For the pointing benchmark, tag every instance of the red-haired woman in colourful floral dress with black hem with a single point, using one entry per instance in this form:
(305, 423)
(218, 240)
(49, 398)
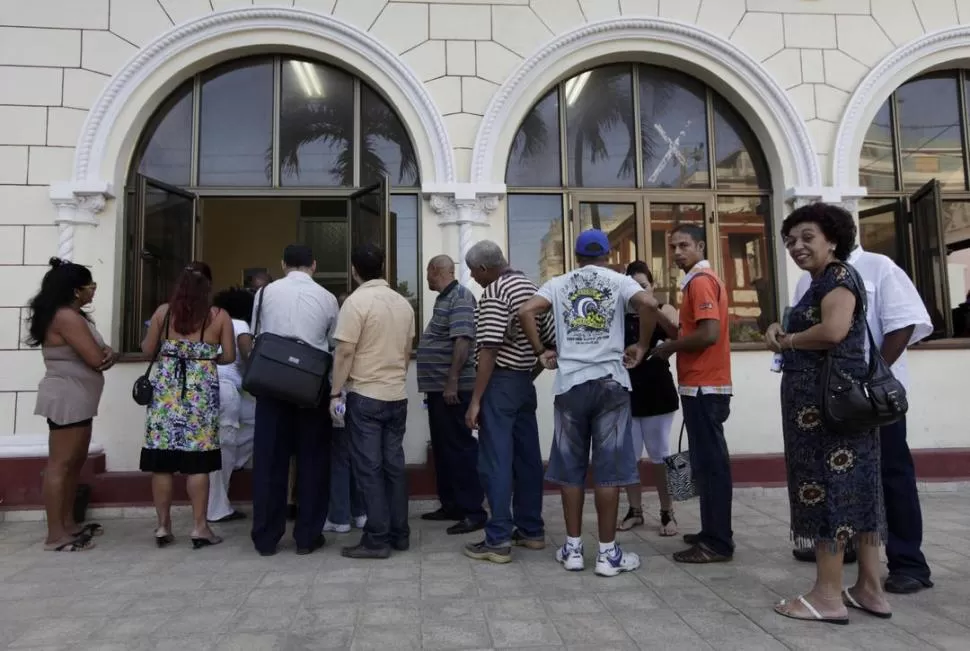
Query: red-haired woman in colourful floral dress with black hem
(182, 427)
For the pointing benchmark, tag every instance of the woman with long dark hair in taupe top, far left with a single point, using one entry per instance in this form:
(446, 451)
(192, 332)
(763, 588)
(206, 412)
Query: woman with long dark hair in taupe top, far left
(75, 358)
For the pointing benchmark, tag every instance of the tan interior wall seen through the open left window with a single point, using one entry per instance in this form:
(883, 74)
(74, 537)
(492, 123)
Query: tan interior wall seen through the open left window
(238, 234)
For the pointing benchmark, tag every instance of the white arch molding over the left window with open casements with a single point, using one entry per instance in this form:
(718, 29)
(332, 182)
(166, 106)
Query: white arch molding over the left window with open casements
(209, 39)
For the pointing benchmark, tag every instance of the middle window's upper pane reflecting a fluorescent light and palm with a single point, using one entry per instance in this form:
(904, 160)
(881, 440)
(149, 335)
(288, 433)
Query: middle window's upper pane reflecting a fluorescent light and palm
(600, 128)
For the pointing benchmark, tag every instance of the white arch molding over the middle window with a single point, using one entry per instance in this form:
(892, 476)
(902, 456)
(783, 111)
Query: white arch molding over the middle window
(721, 64)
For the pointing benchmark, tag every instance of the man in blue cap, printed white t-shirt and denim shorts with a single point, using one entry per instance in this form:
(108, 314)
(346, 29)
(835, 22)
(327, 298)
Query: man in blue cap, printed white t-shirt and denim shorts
(592, 404)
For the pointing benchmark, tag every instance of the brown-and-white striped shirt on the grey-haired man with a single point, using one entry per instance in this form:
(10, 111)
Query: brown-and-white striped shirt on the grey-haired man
(498, 322)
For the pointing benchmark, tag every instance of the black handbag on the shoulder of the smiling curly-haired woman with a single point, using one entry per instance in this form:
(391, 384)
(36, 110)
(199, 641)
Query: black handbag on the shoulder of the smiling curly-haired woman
(851, 406)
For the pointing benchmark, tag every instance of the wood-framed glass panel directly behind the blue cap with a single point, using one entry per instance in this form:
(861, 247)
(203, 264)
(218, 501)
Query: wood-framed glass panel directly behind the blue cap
(619, 219)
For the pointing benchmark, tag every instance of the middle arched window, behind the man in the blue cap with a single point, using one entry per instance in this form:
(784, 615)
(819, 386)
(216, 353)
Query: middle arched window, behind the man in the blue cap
(633, 150)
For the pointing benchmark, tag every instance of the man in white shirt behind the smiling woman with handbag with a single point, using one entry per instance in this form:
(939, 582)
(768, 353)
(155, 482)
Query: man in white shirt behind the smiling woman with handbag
(898, 318)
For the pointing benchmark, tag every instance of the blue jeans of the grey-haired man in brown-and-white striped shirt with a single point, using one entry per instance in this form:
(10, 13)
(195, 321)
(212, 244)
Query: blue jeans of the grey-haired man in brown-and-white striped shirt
(509, 458)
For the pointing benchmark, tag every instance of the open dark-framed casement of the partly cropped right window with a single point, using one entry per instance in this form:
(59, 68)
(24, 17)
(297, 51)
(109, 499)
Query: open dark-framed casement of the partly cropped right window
(926, 213)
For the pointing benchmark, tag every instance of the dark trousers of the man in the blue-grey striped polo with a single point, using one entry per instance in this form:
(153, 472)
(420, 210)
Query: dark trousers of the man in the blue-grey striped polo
(455, 457)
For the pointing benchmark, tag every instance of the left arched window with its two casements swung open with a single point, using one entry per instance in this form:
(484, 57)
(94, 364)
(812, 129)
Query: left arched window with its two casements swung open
(257, 153)
